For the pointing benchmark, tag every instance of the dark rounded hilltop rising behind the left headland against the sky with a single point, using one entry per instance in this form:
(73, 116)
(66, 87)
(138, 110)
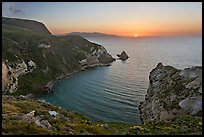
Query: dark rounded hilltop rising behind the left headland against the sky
(28, 24)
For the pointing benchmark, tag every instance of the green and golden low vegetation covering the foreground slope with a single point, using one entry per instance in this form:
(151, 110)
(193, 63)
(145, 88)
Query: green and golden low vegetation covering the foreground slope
(13, 107)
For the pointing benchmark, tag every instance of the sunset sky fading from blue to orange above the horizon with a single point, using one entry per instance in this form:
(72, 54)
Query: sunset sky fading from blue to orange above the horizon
(119, 18)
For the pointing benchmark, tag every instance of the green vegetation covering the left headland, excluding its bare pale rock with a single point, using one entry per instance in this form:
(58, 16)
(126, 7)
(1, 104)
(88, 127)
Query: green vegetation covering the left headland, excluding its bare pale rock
(61, 58)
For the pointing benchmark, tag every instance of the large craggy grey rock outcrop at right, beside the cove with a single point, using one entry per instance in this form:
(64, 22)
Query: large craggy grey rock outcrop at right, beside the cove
(172, 93)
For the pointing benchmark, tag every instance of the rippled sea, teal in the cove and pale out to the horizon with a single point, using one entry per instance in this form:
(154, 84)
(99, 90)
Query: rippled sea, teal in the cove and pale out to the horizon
(113, 93)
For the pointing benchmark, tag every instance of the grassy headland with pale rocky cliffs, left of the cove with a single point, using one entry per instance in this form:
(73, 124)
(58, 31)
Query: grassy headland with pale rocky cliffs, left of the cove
(31, 59)
